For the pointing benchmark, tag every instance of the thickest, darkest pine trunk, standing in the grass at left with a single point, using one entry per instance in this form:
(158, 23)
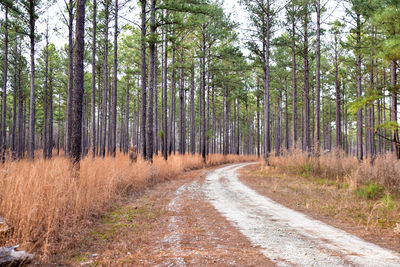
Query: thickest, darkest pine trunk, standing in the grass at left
(78, 88)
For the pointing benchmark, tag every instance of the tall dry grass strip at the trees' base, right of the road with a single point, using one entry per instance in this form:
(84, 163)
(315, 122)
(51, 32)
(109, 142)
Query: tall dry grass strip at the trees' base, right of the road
(385, 169)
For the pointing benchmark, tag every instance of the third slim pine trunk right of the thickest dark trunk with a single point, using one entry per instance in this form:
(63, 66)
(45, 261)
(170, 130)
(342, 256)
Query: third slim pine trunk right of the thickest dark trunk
(115, 84)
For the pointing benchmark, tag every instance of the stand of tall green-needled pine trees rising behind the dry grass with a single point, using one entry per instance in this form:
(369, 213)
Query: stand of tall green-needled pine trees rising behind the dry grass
(177, 80)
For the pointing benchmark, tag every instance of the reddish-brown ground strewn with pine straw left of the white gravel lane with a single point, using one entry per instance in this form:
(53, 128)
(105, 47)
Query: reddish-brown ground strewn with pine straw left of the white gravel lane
(152, 231)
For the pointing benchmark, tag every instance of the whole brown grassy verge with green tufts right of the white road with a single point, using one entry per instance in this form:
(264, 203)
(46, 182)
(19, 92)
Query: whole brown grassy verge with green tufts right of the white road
(362, 198)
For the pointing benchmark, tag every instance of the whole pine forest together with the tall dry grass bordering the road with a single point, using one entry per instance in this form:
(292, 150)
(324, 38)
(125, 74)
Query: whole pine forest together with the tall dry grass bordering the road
(184, 83)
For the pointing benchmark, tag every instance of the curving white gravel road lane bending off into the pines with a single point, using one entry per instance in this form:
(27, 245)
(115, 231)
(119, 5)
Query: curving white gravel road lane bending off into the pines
(285, 236)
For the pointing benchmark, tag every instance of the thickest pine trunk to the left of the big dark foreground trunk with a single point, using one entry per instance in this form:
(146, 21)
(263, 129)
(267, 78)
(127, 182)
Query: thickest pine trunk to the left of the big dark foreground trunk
(31, 138)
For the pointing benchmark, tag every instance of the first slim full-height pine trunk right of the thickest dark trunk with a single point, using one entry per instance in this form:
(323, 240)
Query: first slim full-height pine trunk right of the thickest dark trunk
(94, 31)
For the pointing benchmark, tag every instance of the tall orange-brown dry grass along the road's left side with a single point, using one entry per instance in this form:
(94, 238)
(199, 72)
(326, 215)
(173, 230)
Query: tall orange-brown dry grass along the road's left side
(46, 207)
